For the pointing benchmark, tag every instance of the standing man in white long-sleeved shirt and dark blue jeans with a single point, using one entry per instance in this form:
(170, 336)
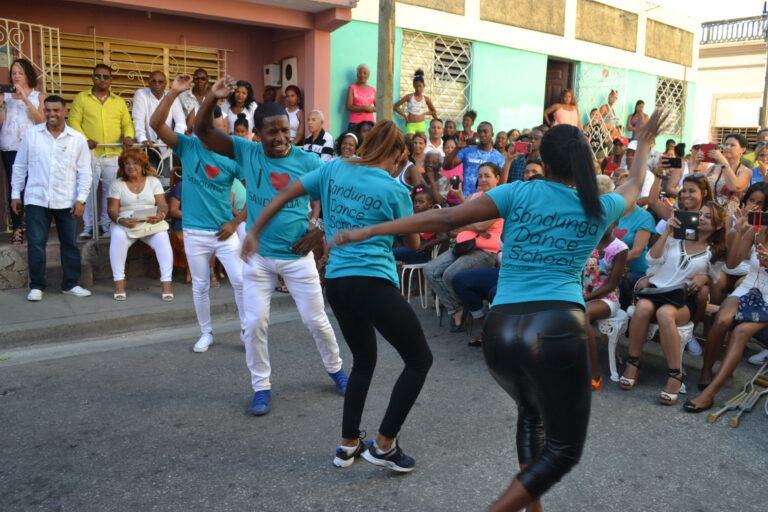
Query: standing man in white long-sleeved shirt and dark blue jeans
(57, 182)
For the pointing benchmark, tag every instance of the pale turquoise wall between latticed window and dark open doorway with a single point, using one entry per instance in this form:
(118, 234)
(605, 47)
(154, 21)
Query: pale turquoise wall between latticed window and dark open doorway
(507, 86)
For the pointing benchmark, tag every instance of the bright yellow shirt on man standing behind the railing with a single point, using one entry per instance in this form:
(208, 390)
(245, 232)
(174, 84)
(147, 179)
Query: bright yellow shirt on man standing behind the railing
(104, 123)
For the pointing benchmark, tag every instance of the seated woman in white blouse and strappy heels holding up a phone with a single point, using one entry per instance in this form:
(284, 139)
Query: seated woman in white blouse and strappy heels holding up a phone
(674, 263)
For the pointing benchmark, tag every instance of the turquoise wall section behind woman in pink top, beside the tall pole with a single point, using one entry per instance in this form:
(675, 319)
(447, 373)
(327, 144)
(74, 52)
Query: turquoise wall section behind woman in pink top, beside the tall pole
(351, 45)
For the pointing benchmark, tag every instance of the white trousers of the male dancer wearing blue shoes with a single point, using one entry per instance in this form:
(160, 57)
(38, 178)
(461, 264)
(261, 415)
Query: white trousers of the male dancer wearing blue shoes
(303, 282)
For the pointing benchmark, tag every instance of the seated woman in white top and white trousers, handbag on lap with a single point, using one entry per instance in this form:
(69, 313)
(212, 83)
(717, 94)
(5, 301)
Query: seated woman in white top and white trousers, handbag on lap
(137, 188)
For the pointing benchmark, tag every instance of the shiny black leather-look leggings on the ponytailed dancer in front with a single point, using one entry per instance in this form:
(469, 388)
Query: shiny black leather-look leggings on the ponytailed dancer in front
(537, 352)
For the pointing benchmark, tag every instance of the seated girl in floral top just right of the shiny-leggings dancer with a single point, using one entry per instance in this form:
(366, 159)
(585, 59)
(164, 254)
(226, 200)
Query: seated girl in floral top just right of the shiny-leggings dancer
(600, 282)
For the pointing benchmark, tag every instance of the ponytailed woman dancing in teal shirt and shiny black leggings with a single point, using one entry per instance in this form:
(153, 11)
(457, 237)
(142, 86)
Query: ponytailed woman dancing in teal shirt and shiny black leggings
(534, 338)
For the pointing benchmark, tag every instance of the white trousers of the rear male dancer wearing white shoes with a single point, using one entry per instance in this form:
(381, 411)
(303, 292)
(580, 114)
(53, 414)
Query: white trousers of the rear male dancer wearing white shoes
(199, 246)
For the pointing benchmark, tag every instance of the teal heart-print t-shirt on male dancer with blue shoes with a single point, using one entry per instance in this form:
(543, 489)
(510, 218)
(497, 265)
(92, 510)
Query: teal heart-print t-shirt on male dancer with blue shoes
(264, 178)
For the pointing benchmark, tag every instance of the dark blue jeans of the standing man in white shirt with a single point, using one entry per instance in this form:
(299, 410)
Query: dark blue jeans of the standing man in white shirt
(38, 227)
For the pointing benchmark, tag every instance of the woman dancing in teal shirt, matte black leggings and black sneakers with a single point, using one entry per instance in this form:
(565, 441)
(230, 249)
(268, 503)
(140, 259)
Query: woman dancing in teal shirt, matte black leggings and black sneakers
(362, 285)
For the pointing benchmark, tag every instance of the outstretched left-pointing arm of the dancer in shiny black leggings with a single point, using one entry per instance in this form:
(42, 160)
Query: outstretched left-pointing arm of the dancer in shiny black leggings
(445, 219)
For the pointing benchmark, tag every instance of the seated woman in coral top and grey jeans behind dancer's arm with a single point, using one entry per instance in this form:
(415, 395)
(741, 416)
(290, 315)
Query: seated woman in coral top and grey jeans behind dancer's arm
(486, 236)
